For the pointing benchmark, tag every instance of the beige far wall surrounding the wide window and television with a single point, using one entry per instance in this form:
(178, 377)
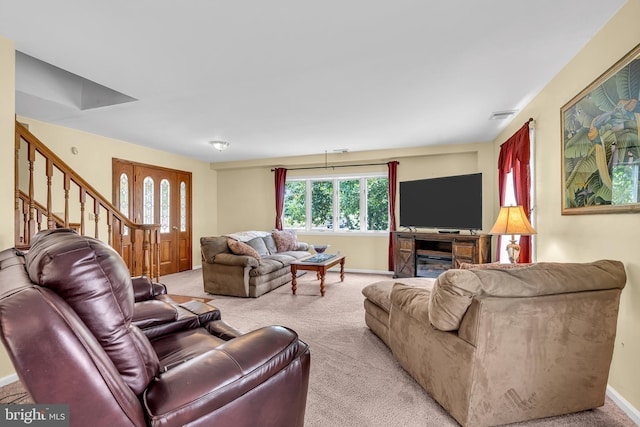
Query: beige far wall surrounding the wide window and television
(246, 191)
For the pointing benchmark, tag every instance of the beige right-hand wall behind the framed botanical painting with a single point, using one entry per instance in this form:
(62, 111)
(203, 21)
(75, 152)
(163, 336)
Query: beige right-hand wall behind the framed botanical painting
(588, 237)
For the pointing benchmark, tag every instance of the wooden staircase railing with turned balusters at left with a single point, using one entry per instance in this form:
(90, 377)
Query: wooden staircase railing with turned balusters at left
(42, 197)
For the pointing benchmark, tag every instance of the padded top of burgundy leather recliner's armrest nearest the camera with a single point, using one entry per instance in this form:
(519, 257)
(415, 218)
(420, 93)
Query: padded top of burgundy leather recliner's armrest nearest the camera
(212, 380)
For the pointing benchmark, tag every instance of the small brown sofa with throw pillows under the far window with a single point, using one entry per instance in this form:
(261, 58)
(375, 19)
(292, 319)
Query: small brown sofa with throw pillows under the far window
(235, 274)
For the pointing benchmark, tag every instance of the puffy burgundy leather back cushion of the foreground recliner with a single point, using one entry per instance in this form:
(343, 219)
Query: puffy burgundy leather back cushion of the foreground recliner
(92, 278)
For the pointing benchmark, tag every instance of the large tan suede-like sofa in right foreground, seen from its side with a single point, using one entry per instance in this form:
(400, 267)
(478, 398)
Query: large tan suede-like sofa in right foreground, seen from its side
(496, 346)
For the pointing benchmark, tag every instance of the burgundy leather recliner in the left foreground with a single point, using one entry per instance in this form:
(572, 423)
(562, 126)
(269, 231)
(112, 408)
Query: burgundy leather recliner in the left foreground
(65, 320)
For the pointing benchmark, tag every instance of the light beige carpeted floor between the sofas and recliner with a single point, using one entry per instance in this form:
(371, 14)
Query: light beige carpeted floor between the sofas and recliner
(354, 379)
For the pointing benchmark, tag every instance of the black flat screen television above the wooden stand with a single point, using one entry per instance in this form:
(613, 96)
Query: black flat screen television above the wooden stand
(449, 203)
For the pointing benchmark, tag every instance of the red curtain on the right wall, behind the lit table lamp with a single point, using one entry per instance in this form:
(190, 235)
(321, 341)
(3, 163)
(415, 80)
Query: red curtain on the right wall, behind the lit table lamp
(514, 156)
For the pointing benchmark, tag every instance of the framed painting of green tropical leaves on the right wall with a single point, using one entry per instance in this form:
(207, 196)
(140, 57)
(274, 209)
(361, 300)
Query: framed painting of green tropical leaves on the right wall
(601, 143)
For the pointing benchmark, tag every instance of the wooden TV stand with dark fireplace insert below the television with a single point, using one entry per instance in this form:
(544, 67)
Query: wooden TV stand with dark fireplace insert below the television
(429, 254)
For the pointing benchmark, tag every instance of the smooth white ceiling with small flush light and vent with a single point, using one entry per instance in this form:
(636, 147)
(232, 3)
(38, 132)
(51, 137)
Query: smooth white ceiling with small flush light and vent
(293, 77)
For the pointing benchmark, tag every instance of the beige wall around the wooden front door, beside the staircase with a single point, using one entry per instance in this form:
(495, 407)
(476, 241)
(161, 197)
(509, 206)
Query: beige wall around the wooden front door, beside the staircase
(93, 162)
